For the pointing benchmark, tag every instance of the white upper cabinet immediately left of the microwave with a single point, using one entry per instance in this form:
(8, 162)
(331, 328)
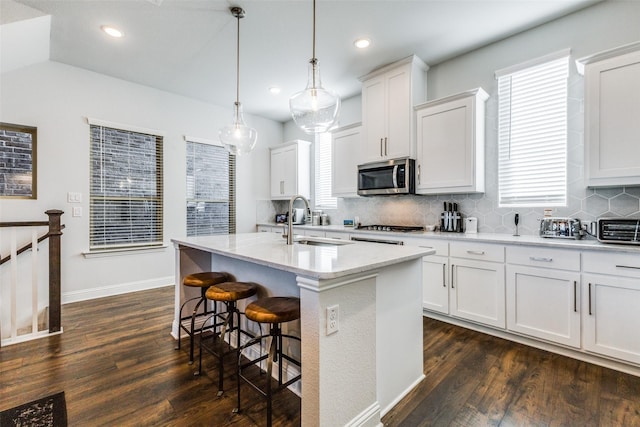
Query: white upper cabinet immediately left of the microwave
(346, 146)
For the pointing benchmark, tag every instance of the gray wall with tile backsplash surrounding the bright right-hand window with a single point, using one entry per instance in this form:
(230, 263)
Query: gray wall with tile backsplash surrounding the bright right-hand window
(603, 26)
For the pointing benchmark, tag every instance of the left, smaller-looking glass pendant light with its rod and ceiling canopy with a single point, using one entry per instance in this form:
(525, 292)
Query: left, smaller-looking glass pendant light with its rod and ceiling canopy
(237, 137)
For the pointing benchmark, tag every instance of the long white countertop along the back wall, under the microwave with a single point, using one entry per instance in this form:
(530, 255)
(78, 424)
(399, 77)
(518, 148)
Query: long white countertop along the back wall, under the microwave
(588, 243)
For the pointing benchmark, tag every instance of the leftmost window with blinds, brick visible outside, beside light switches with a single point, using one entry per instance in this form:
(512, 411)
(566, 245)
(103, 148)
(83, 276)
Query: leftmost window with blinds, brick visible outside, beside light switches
(126, 187)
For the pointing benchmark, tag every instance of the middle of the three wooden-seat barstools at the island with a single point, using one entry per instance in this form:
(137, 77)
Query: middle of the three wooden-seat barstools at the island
(228, 293)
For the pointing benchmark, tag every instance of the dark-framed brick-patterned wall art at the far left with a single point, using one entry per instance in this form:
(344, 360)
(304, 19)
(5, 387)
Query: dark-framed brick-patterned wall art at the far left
(18, 161)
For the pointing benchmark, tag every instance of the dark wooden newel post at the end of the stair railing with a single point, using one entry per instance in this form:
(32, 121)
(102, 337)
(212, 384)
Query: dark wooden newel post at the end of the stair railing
(55, 303)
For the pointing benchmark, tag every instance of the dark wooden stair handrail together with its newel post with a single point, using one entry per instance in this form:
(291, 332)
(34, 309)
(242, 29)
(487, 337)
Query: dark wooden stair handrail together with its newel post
(54, 234)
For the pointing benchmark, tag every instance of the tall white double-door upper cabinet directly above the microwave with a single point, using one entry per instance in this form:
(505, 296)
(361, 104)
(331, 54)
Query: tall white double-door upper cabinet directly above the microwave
(388, 96)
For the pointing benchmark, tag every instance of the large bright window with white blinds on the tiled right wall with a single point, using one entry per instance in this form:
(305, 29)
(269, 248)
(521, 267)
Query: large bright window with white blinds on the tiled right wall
(532, 133)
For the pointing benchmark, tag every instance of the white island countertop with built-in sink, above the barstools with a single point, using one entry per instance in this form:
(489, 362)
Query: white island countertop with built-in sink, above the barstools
(319, 262)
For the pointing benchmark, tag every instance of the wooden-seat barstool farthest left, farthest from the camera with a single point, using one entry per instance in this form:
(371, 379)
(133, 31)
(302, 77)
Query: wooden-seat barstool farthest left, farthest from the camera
(203, 281)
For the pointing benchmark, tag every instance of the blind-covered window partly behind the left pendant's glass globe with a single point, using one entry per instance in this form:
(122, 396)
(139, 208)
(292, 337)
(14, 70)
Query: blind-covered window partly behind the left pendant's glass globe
(210, 189)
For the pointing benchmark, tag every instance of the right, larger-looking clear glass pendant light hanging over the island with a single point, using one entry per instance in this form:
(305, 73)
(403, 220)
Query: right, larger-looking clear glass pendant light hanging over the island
(314, 109)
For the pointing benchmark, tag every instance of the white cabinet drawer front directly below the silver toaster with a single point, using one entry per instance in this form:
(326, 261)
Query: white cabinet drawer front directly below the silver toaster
(544, 257)
